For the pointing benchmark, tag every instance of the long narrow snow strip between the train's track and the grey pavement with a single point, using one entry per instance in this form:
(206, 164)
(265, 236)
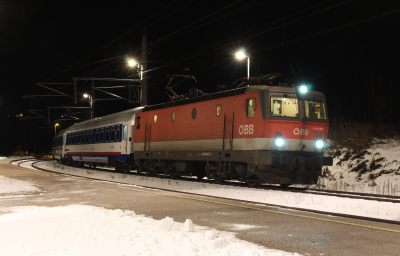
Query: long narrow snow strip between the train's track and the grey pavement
(358, 207)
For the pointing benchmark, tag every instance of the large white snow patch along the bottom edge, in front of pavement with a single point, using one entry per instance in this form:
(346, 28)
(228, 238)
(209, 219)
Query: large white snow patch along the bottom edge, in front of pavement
(87, 230)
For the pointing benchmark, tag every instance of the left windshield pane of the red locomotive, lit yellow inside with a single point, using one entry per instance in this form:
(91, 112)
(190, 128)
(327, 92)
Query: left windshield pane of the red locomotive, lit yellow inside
(284, 107)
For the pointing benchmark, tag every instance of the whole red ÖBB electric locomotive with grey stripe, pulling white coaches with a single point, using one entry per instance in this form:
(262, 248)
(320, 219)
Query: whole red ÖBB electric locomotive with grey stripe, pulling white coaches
(257, 133)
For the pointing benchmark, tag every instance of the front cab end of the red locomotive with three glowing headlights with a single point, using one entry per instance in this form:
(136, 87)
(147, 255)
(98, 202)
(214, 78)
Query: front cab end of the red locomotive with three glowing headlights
(294, 128)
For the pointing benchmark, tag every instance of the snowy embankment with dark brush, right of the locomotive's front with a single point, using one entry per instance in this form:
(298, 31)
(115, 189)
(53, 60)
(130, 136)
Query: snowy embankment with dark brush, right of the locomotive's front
(375, 170)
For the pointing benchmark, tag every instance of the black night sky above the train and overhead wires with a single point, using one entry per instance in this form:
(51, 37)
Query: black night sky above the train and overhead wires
(349, 50)
